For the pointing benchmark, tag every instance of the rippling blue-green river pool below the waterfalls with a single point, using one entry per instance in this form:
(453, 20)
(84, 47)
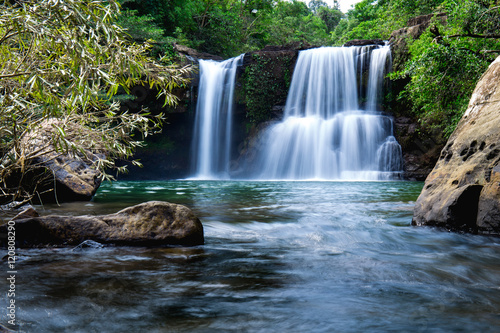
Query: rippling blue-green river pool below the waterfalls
(279, 257)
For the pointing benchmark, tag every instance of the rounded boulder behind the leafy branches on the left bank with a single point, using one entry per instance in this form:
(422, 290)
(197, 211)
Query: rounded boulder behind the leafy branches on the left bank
(55, 176)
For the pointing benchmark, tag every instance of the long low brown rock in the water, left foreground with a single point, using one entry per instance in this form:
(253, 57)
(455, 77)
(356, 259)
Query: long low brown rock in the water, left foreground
(152, 223)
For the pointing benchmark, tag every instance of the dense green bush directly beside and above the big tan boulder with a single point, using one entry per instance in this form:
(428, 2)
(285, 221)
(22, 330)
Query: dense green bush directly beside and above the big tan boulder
(448, 60)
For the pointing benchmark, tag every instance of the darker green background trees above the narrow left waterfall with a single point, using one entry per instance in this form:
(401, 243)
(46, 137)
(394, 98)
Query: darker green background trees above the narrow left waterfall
(230, 27)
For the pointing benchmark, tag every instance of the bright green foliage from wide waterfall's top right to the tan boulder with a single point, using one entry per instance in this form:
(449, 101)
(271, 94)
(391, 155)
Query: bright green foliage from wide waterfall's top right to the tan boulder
(445, 62)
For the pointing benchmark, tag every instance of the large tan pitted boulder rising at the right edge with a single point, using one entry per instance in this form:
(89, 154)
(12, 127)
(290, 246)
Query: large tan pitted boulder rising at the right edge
(462, 192)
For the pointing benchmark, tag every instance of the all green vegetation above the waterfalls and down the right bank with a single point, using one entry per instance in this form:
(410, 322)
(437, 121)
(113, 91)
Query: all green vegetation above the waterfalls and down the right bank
(442, 69)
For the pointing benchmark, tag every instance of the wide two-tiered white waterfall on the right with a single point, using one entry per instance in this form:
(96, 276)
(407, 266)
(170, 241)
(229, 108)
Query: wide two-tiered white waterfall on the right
(324, 133)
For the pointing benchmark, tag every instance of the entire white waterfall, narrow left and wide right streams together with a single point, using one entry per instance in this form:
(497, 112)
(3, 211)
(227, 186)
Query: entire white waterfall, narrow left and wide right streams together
(326, 132)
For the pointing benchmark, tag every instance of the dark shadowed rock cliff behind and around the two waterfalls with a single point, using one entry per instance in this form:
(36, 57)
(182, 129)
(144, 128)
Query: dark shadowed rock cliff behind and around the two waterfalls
(261, 92)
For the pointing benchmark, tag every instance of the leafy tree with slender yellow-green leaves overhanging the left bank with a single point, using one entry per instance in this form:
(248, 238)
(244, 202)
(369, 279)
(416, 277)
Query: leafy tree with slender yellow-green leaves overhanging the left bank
(67, 60)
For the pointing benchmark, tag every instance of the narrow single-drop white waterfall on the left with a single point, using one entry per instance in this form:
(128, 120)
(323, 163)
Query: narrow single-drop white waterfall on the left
(211, 148)
